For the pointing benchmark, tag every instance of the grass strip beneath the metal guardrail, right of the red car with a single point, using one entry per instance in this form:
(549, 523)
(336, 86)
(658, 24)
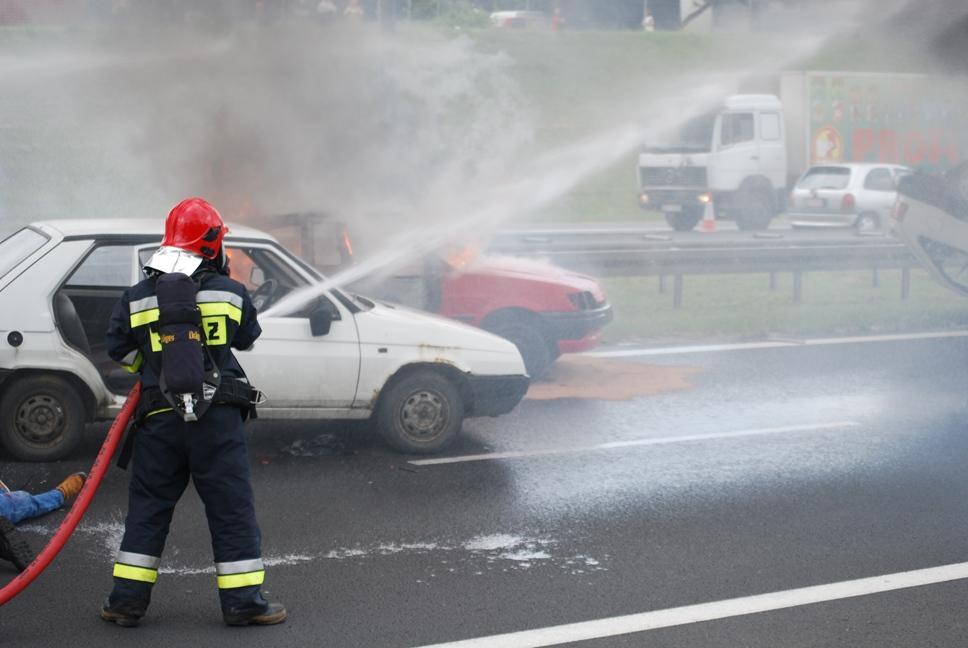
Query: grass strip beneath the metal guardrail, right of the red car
(738, 307)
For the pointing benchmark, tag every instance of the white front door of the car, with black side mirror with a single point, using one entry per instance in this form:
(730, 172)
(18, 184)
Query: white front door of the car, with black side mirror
(301, 374)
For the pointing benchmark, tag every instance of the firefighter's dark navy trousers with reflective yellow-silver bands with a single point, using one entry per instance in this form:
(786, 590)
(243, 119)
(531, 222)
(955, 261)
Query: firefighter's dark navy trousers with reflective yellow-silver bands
(212, 452)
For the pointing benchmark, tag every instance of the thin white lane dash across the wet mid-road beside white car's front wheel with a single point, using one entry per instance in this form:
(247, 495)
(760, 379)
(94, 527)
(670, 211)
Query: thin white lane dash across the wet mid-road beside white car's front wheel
(489, 456)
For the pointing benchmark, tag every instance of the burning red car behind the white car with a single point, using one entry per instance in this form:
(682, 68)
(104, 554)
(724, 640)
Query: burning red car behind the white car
(545, 310)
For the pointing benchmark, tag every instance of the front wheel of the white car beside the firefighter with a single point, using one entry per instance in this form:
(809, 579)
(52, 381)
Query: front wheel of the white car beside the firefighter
(422, 412)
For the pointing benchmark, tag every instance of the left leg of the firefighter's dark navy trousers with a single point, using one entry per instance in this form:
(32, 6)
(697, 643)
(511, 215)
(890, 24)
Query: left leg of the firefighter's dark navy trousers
(159, 475)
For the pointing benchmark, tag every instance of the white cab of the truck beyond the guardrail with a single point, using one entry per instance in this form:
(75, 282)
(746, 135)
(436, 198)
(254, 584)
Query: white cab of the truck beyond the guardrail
(732, 160)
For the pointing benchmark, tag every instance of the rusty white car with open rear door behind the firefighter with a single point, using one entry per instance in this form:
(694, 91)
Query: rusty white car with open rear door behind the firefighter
(341, 357)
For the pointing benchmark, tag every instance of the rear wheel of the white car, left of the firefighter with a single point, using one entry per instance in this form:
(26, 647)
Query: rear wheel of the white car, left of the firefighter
(41, 418)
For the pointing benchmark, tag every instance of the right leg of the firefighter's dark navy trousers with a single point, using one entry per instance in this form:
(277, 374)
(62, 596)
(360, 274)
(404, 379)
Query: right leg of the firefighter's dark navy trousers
(220, 470)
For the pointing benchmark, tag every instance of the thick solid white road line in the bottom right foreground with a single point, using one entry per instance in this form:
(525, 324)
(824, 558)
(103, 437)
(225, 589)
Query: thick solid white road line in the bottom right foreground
(613, 626)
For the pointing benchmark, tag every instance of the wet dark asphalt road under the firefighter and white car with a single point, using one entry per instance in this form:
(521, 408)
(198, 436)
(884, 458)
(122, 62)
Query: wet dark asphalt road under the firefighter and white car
(777, 469)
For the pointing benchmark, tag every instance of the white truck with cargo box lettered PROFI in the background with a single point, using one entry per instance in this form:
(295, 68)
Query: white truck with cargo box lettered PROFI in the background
(742, 158)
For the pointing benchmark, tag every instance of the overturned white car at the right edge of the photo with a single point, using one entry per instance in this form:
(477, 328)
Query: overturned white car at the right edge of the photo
(931, 217)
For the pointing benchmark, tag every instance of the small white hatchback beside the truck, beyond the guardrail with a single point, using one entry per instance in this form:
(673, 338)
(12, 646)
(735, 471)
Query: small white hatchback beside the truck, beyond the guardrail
(857, 195)
